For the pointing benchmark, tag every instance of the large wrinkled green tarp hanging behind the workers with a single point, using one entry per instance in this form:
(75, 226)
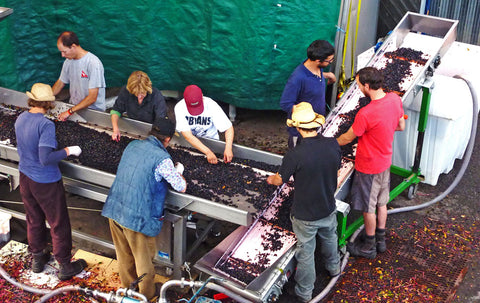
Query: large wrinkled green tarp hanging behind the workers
(238, 52)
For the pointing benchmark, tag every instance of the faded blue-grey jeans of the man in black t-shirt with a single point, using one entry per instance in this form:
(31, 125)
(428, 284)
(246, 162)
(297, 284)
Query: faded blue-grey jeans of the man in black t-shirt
(305, 231)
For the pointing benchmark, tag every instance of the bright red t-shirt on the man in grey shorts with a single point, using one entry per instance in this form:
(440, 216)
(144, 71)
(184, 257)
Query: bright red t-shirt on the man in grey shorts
(375, 126)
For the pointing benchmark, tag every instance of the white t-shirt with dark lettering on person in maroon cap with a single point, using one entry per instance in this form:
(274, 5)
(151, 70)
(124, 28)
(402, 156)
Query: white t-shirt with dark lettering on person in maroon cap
(207, 125)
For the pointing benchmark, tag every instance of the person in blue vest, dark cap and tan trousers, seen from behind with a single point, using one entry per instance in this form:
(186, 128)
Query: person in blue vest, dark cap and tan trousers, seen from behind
(135, 203)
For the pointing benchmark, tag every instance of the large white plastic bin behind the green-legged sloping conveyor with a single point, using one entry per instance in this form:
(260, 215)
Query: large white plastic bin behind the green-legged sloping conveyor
(450, 116)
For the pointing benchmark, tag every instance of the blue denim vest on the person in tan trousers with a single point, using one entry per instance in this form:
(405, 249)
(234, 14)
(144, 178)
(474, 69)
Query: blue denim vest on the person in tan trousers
(136, 199)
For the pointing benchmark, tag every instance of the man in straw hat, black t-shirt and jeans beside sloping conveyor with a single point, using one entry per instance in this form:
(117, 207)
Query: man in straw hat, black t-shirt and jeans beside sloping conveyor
(313, 163)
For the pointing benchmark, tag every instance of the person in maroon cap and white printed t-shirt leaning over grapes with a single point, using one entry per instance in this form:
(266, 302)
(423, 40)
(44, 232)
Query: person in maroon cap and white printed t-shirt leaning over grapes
(200, 116)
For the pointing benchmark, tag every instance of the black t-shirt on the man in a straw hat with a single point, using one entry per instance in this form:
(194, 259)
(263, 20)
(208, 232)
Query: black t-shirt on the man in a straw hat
(314, 164)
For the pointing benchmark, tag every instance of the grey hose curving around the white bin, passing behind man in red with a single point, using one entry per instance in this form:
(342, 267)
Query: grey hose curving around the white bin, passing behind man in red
(463, 168)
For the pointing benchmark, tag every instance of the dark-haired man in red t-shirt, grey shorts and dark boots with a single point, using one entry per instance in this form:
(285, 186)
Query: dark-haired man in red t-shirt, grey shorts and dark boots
(374, 125)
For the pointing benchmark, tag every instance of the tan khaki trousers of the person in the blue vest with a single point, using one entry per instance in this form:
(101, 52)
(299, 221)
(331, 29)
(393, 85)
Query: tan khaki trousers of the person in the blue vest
(135, 252)
